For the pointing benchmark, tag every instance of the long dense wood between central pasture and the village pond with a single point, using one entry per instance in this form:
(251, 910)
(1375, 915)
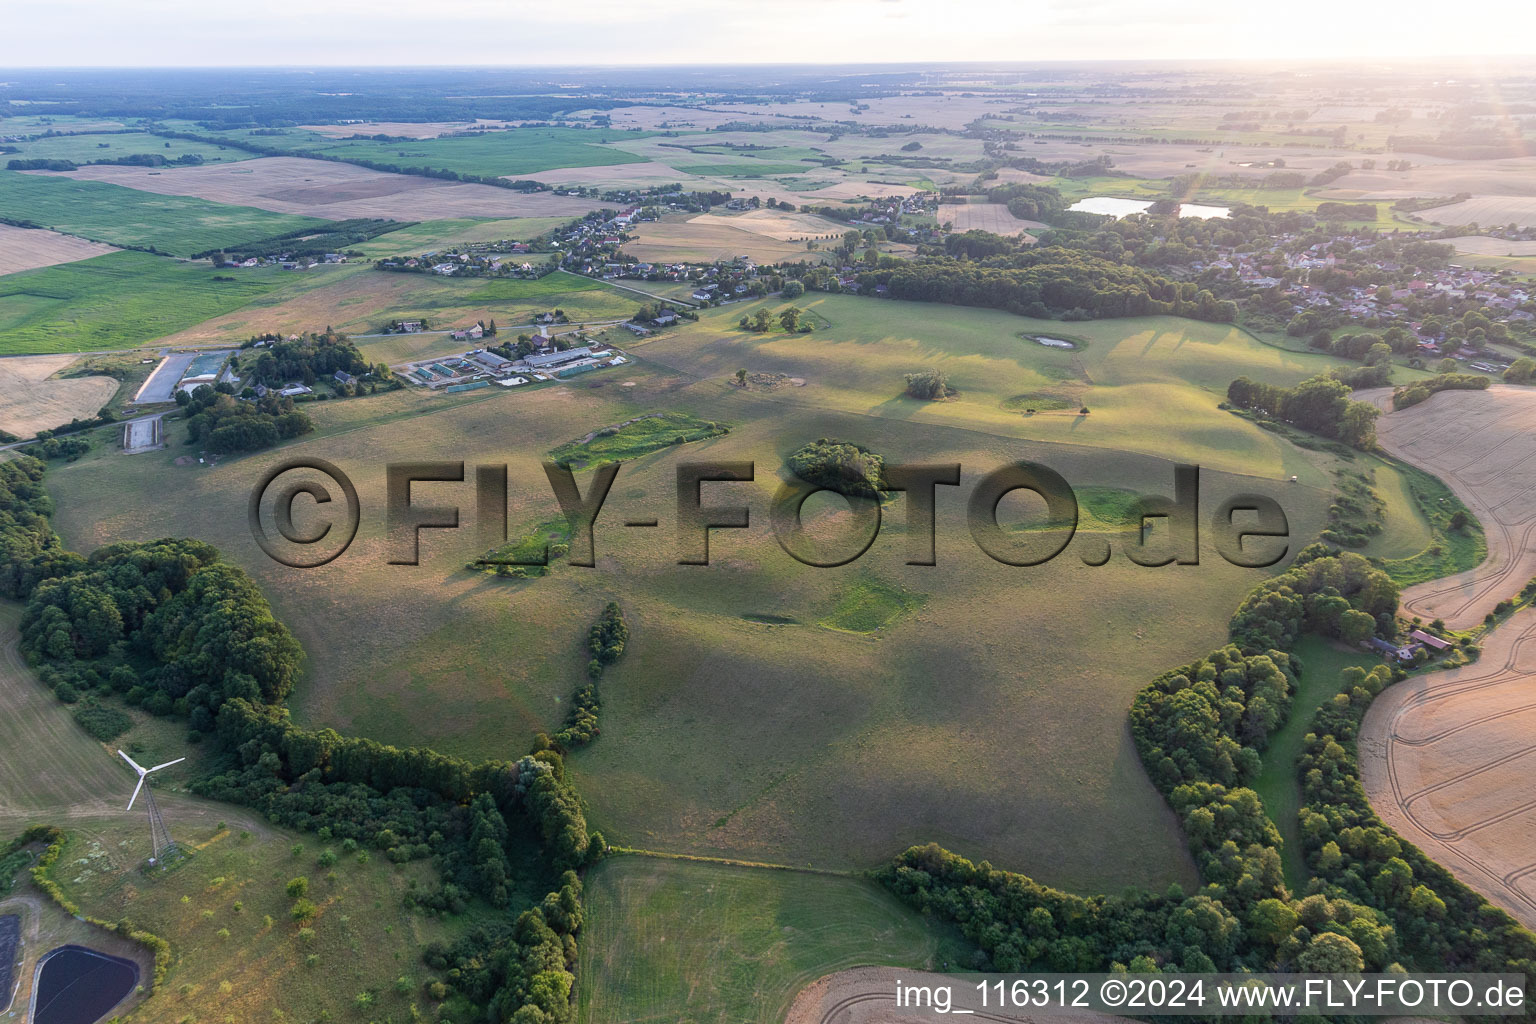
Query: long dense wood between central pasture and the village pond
(1045, 282)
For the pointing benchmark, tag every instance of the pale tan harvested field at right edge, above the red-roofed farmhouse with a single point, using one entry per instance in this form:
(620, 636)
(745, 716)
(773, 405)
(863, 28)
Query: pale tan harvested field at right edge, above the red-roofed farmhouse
(1483, 446)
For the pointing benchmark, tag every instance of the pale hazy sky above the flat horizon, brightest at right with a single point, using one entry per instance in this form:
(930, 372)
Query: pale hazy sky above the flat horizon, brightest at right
(331, 33)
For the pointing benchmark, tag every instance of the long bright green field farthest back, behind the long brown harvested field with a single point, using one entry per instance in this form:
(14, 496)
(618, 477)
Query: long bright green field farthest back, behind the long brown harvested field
(500, 154)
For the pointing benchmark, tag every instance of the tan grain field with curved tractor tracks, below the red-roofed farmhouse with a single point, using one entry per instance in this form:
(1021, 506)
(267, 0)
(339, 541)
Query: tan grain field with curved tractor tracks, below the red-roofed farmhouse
(1449, 762)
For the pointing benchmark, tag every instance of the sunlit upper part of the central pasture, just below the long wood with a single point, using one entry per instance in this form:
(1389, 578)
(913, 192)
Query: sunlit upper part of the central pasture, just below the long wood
(1153, 385)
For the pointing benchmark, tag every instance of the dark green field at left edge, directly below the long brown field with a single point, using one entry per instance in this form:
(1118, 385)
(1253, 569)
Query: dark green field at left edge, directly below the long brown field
(128, 217)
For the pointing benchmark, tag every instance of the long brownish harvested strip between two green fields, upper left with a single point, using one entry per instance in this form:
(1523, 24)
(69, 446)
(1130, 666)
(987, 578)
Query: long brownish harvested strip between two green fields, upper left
(336, 191)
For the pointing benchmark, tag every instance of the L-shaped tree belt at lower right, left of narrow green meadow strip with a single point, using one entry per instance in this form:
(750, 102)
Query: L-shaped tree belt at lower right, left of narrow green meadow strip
(1199, 732)
